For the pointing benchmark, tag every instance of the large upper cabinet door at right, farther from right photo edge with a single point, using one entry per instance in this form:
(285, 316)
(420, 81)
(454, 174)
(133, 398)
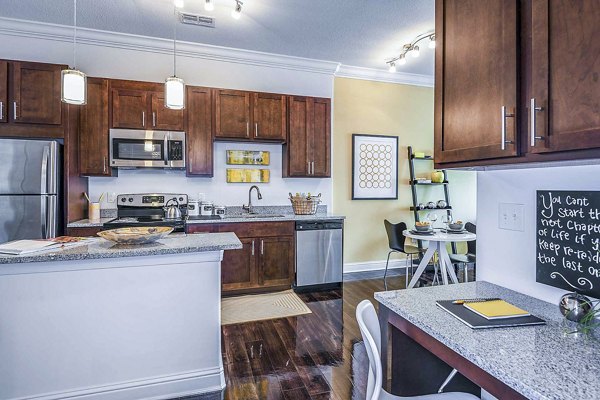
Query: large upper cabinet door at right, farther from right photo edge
(476, 76)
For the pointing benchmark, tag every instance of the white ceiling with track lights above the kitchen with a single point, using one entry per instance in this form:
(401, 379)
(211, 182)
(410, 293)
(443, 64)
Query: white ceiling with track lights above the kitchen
(361, 33)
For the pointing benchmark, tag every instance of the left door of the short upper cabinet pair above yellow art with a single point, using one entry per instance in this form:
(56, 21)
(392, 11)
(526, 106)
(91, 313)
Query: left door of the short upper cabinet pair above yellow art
(232, 109)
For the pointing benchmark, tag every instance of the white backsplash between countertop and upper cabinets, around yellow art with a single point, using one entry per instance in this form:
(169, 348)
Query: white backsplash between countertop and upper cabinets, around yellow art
(215, 189)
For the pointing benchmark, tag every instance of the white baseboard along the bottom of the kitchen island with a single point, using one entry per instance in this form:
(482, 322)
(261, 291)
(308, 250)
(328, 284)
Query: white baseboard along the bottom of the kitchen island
(164, 387)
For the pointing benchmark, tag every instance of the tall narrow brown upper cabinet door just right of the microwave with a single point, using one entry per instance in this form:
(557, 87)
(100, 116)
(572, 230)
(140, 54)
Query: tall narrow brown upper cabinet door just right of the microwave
(199, 132)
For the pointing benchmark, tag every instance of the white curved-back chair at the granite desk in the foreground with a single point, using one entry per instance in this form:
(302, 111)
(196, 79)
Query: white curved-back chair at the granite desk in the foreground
(371, 334)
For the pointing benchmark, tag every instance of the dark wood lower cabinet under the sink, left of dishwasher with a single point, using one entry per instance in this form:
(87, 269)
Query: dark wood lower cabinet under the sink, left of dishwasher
(266, 261)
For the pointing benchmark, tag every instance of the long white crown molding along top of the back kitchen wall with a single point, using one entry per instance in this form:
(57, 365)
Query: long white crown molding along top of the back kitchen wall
(93, 37)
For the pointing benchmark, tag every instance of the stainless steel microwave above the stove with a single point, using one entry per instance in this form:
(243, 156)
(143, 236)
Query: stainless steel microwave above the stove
(131, 148)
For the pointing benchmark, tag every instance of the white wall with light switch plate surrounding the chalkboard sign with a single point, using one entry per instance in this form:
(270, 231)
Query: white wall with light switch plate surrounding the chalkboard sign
(507, 258)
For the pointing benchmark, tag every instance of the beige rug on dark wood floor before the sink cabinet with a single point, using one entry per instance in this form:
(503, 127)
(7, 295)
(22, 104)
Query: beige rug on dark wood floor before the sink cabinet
(256, 307)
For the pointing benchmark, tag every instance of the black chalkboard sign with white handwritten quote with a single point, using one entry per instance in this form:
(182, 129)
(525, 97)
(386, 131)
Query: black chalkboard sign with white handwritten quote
(568, 240)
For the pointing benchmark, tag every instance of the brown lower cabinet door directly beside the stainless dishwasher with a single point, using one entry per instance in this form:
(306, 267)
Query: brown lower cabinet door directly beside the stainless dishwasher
(276, 261)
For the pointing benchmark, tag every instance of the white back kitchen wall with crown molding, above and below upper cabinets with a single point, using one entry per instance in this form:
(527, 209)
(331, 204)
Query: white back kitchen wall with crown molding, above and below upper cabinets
(112, 55)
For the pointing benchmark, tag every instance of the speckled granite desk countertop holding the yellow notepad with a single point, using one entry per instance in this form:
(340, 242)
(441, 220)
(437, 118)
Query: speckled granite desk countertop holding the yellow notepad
(540, 362)
